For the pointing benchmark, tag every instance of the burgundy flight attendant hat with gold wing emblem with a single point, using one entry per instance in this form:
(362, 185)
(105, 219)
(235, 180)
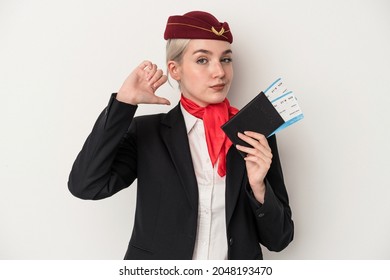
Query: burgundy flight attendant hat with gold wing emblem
(197, 25)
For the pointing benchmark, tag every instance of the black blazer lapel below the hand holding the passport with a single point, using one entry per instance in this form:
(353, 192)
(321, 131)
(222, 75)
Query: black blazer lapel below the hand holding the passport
(235, 171)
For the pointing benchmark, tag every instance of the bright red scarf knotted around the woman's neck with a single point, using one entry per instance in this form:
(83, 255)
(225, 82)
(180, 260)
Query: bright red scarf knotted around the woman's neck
(213, 116)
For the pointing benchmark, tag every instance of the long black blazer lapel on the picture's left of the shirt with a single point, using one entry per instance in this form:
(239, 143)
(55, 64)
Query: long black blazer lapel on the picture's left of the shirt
(173, 132)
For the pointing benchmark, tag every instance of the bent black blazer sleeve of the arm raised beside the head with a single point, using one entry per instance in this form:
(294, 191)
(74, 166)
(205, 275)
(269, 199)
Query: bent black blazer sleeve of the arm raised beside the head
(104, 165)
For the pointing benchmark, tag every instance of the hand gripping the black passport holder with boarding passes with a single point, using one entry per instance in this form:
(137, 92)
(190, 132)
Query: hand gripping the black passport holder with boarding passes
(258, 161)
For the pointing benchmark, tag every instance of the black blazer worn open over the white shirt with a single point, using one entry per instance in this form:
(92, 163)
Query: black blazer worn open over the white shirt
(154, 150)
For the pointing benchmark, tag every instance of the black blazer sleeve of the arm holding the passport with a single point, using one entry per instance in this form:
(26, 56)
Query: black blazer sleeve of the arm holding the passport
(275, 226)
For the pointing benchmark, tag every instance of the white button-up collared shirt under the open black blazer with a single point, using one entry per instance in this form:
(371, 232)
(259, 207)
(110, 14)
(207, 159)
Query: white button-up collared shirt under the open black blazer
(211, 239)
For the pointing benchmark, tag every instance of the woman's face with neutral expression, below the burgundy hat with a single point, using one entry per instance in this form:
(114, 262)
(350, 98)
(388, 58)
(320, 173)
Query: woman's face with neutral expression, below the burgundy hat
(205, 71)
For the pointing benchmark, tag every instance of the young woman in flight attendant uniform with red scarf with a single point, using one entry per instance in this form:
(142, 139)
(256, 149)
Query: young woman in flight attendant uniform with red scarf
(197, 198)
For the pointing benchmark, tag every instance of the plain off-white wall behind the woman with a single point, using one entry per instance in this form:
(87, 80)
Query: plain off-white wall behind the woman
(61, 60)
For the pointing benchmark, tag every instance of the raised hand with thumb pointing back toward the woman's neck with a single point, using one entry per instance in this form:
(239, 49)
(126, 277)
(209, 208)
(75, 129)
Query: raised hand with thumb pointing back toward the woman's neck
(140, 86)
